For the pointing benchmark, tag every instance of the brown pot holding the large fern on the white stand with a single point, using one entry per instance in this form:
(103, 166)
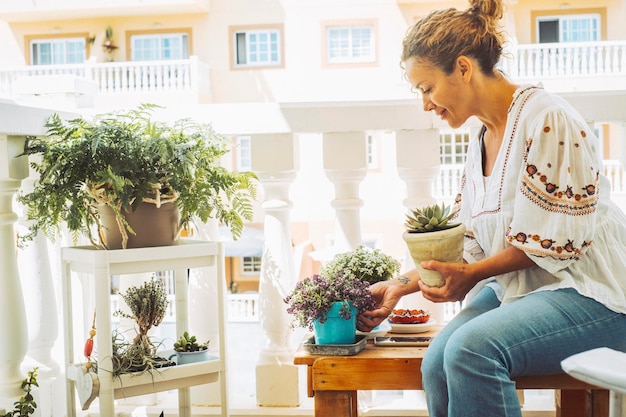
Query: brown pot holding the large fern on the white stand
(153, 226)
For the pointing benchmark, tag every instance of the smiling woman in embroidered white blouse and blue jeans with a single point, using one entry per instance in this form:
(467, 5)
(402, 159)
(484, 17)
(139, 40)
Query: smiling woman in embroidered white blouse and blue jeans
(544, 275)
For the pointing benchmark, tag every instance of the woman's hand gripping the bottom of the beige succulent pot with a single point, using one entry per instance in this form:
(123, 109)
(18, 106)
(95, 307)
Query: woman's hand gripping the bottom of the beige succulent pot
(458, 281)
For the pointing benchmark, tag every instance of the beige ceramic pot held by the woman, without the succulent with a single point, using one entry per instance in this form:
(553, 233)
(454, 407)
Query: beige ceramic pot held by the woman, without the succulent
(443, 245)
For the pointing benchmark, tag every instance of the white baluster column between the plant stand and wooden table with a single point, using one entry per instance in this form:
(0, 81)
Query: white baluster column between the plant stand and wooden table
(274, 161)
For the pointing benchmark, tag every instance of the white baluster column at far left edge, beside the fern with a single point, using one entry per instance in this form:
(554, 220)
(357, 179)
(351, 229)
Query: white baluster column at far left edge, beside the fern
(12, 311)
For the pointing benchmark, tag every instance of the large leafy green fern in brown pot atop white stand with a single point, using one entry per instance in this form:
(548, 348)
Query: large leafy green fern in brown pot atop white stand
(115, 165)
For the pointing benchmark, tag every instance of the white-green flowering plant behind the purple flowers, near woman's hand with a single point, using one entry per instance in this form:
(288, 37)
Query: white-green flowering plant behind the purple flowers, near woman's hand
(370, 265)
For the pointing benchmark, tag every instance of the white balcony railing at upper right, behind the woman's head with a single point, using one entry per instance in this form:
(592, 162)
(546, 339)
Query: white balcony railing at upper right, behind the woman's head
(575, 59)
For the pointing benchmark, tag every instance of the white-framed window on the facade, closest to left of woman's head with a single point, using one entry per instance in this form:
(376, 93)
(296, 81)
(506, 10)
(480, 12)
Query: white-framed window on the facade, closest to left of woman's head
(350, 44)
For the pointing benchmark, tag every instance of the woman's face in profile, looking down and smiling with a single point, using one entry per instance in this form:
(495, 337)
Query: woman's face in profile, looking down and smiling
(445, 94)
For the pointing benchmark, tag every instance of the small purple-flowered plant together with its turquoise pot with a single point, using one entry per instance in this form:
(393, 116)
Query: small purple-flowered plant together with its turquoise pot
(328, 305)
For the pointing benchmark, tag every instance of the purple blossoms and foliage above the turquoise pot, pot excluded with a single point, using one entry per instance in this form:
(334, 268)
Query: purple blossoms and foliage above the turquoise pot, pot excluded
(313, 296)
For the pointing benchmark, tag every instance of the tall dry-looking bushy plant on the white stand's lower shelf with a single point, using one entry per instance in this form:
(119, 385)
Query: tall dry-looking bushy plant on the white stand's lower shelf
(148, 305)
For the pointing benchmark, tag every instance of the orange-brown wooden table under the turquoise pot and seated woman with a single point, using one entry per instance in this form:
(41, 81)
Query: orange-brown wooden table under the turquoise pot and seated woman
(333, 381)
